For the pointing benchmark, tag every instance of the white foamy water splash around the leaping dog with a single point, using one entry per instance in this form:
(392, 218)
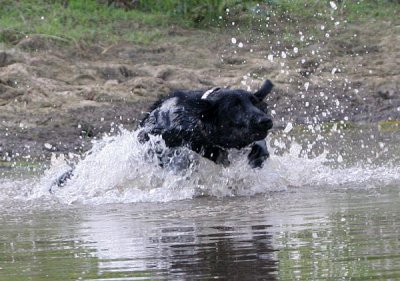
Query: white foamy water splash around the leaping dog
(118, 169)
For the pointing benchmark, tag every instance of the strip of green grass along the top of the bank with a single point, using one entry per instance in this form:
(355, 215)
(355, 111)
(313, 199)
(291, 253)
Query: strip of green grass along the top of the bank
(89, 21)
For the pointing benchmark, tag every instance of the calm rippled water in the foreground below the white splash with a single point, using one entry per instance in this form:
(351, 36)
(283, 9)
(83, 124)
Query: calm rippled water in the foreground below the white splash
(299, 234)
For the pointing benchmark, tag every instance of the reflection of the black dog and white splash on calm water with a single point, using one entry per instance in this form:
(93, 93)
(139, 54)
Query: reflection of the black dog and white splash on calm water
(201, 239)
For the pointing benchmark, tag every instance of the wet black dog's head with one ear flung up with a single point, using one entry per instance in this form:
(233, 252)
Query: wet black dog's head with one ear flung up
(235, 118)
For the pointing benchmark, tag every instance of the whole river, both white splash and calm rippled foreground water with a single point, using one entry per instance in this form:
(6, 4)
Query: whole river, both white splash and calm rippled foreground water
(324, 206)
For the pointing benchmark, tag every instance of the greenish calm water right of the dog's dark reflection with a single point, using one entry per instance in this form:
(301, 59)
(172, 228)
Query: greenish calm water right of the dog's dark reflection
(358, 239)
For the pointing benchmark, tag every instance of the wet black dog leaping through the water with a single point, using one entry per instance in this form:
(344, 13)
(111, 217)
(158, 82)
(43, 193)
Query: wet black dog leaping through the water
(210, 122)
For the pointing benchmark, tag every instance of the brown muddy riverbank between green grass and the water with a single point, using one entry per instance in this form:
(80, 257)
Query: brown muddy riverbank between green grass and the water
(56, 98)
